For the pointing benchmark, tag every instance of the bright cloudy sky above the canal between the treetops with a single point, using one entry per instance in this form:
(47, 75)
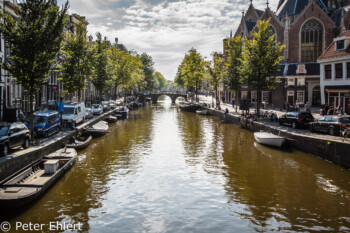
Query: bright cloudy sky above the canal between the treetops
(165, 29)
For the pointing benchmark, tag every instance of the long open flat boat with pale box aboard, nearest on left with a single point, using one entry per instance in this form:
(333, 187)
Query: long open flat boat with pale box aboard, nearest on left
(34, 180)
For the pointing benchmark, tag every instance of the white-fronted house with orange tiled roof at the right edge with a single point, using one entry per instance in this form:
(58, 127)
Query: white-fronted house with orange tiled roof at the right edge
(335, 73)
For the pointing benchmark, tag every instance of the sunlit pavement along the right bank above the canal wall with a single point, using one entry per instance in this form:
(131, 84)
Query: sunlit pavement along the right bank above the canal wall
(208, 100)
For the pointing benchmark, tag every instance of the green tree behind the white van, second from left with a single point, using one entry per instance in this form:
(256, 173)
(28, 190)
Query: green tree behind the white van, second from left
(77, 64)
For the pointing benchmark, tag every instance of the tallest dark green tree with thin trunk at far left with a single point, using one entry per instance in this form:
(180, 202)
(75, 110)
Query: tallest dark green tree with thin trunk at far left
(34, 37)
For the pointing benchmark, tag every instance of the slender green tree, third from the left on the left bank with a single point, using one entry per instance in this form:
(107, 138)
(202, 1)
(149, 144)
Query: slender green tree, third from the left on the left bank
(100, 75)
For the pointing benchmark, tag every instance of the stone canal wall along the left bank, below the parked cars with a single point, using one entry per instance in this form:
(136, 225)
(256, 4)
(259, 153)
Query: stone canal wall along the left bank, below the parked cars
(21, 158)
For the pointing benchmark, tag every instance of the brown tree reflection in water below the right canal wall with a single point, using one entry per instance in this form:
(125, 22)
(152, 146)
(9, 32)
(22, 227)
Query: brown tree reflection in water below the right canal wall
(279, 190)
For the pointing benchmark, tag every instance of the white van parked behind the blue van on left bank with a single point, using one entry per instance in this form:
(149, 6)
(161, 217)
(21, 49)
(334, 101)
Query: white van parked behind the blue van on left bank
(74, 112)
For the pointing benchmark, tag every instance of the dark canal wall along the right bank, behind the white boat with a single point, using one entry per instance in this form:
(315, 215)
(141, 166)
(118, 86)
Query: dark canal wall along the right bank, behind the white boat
(333, 150)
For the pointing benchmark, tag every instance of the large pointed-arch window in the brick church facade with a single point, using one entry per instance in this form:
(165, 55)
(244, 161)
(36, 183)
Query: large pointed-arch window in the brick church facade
(311, 41)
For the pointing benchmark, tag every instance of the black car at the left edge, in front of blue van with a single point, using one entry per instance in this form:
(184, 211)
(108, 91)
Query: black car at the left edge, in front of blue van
(13, 135)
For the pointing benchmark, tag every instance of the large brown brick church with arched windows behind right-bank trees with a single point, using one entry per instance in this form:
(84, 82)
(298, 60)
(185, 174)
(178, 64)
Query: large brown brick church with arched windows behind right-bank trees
(306, 28)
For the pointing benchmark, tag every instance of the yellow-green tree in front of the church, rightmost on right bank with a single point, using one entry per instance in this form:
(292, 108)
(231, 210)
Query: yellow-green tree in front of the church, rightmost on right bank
(261, 56)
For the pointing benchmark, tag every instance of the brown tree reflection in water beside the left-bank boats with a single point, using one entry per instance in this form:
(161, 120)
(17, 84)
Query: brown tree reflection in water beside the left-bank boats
(84, 187)
